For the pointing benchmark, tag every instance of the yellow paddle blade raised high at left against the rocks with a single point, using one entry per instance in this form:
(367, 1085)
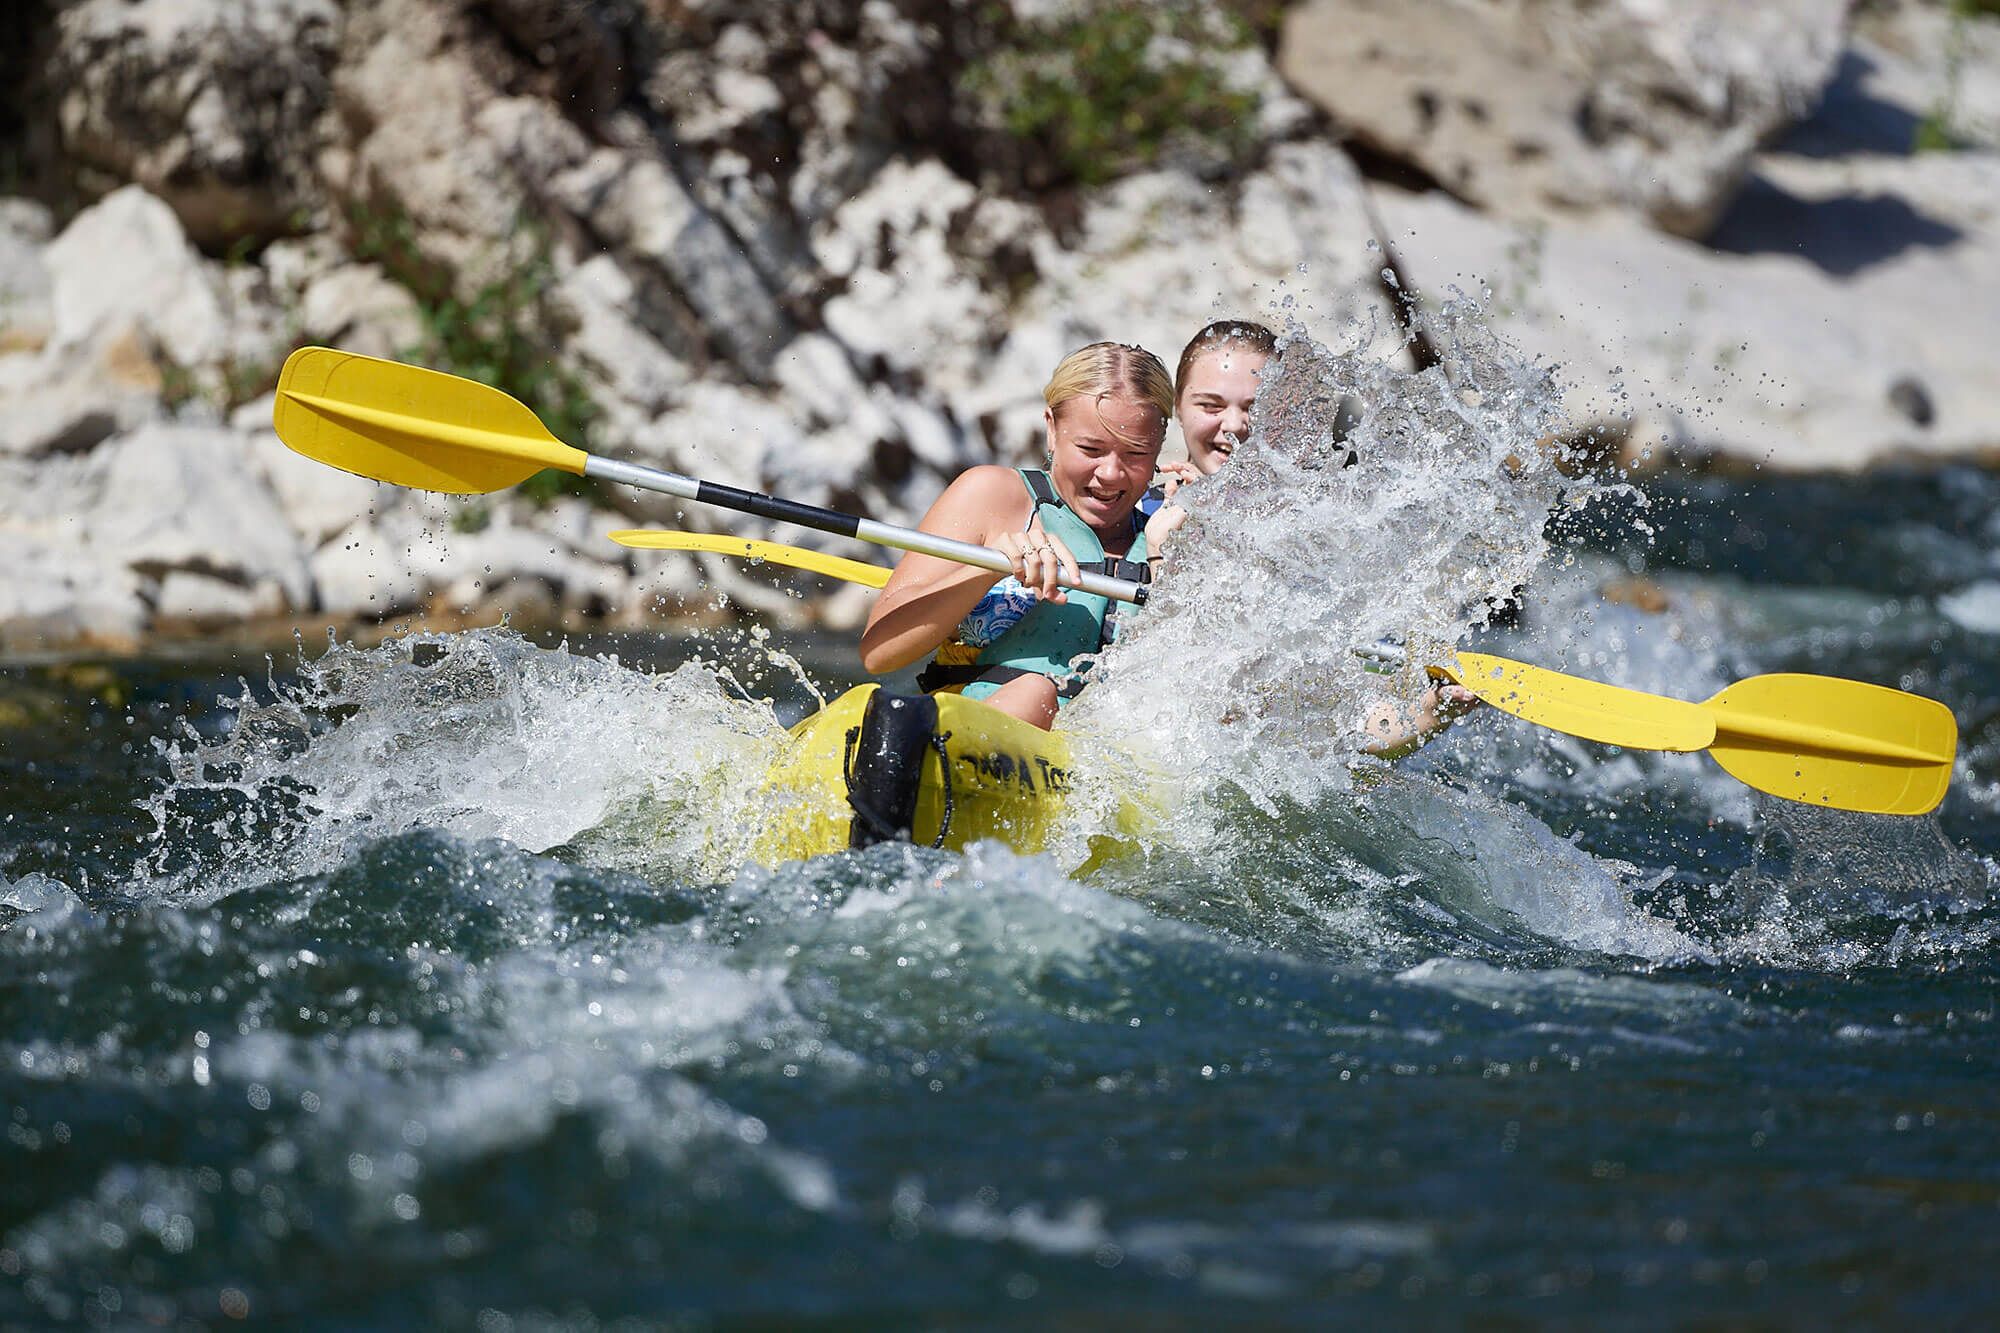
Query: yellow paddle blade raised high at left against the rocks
(411, 427)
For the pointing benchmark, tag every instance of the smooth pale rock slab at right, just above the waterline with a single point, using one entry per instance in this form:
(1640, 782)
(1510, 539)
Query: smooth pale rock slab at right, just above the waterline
(1765, 357)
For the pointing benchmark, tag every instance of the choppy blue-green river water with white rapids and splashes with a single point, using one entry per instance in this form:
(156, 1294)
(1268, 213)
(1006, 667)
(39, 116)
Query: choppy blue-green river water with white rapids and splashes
(429, 984)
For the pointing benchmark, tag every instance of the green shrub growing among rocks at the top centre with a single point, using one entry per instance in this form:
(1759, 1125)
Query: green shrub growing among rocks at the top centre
(1111, 87)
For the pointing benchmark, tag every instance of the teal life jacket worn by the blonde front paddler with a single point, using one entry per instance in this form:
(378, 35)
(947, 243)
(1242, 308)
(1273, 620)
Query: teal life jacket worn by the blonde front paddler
(1053, 635)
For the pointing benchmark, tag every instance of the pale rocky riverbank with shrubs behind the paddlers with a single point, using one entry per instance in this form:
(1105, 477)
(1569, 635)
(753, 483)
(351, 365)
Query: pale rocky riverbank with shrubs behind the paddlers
(833, 251)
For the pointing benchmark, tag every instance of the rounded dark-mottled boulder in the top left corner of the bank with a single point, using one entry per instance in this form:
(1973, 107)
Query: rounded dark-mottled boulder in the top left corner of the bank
(211, 107)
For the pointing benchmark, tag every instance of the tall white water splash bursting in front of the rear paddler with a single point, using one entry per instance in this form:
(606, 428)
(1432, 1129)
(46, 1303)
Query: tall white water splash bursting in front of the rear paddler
(1245, 665)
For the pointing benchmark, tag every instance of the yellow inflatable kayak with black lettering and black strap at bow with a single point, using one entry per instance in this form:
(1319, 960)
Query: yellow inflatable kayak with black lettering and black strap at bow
(931, 770)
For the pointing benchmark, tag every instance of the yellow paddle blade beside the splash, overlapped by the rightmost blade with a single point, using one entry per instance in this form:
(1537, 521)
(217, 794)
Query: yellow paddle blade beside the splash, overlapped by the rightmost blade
(1577, 708)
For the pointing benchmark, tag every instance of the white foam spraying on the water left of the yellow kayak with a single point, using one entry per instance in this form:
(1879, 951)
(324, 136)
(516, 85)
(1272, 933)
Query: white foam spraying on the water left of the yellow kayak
(477, 734)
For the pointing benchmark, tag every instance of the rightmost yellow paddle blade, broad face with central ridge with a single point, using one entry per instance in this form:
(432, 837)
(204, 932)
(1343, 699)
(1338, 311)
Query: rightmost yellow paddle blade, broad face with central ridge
(1839, 744)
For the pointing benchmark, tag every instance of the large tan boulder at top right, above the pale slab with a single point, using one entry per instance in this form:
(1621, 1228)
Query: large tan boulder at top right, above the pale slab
(1545, 109)
